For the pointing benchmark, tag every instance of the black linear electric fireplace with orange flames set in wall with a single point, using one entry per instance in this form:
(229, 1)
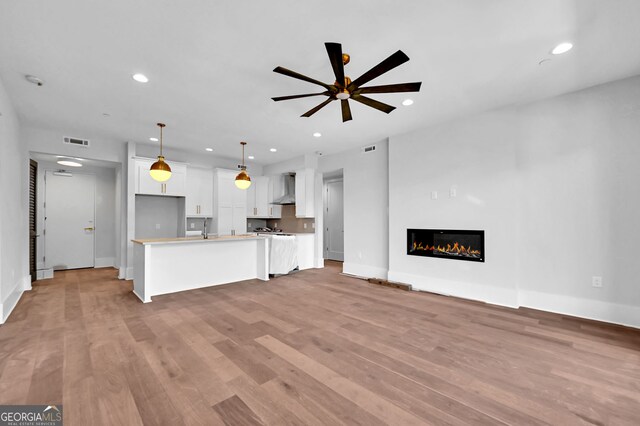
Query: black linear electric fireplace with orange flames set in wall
(446, 244)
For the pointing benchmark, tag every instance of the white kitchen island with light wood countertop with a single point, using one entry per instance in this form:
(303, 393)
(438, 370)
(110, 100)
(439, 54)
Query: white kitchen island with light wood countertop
(169, 265)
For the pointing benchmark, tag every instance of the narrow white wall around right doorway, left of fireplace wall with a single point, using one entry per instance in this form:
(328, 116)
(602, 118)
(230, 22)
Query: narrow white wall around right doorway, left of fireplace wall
(366, 203)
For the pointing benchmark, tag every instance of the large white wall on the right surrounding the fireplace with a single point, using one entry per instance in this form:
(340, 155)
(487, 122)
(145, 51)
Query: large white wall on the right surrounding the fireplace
(553, 184)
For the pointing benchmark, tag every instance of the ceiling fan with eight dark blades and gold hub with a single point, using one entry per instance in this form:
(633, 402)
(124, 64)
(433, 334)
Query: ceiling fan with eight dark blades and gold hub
(344, 89)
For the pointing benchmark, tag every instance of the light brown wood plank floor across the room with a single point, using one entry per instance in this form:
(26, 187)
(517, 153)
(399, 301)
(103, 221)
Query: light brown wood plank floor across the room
(312, 348)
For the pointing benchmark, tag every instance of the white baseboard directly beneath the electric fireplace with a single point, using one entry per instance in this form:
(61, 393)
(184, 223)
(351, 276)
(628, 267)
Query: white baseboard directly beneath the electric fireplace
(464, 290)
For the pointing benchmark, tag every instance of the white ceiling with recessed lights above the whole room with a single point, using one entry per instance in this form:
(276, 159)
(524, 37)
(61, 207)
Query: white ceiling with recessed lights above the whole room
(209, 65)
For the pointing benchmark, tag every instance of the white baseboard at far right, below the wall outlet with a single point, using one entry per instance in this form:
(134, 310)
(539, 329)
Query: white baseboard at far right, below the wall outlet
(597, 310)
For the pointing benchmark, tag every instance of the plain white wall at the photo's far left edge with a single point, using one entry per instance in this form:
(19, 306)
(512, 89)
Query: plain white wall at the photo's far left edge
(14, 209)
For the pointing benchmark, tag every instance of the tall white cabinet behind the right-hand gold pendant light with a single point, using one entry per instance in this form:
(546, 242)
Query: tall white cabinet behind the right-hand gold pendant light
(230, 204)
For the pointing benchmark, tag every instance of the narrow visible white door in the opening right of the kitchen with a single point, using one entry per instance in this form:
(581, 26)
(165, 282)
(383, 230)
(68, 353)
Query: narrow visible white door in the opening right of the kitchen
(334, 226)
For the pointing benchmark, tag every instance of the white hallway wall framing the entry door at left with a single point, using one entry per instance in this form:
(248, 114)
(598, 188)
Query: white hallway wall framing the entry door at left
(106, 234)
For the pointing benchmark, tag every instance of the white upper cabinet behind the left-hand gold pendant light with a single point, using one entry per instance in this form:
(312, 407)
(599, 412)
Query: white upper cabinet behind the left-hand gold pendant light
(174, 187)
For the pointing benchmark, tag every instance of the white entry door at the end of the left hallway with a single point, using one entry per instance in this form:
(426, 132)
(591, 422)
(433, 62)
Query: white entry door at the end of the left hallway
(69, 221)
